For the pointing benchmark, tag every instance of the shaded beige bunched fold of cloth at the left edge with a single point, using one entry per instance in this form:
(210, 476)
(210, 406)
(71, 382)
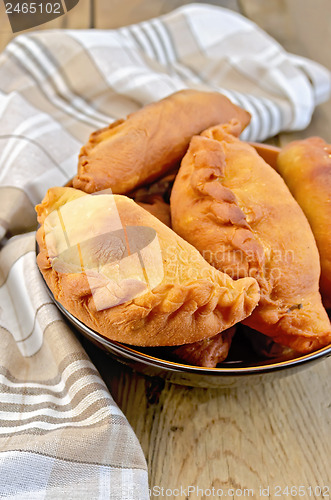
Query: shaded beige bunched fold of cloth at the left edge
(17, 210)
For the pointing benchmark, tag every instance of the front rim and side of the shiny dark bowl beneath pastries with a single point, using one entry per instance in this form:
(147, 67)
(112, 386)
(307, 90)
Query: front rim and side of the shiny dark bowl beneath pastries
(241, 366)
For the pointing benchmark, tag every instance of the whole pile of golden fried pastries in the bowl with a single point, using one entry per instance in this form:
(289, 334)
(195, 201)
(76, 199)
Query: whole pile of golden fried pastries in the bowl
(175, 231)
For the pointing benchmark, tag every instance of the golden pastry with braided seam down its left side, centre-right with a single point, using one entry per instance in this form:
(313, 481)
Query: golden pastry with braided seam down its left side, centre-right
(238, 212)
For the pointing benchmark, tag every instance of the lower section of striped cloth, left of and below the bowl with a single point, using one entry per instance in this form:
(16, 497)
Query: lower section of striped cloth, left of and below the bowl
(61, 434)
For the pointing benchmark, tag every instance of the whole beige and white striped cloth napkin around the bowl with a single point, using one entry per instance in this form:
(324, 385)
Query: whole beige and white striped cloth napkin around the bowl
(61, 434)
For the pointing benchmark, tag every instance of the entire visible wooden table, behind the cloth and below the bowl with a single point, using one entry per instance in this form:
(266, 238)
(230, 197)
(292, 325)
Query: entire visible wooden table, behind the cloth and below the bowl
(267, 435)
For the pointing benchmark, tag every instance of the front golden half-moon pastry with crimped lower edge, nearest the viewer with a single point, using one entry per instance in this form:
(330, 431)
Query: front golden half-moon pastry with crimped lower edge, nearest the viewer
(126, 275)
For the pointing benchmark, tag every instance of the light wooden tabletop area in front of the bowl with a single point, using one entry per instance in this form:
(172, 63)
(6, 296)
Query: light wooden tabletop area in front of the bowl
(264, 434)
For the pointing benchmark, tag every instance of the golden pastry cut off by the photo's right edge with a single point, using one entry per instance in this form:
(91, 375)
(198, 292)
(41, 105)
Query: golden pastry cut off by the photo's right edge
(306, 168)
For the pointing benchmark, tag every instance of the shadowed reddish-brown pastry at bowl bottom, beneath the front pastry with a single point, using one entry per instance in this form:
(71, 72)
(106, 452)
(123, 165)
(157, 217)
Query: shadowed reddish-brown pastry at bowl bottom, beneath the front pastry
(207, 352)
